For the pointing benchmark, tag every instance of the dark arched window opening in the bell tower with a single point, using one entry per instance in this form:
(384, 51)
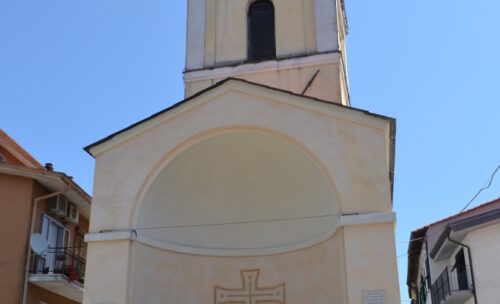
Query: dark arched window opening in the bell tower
(261, 35)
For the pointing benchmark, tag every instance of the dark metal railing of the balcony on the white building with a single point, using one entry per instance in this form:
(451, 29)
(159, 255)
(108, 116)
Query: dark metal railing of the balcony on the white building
(450, 280)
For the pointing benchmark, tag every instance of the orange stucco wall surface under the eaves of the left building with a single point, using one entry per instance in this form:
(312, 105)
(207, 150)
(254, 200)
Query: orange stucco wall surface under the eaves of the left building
(16, 196)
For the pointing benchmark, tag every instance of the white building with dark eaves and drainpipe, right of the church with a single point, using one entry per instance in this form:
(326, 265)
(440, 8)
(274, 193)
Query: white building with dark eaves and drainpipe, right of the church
(456, 260)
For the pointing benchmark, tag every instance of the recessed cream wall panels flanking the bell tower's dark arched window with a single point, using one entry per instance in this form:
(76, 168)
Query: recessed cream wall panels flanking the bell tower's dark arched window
(226, 29)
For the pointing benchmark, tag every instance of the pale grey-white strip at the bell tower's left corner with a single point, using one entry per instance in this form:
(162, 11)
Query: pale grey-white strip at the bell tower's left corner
(195, 34)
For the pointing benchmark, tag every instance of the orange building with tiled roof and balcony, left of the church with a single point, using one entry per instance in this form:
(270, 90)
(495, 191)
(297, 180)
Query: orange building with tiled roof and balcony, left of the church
(56, 276)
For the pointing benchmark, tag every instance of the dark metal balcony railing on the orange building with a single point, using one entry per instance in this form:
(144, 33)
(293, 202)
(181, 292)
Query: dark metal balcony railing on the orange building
(59, 261)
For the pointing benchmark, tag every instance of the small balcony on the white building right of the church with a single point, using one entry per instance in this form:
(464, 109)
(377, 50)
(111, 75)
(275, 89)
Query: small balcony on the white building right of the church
(452, 287)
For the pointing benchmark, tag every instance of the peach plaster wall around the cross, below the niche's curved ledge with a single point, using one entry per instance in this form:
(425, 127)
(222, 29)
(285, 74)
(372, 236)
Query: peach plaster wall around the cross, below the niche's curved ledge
(312, 275)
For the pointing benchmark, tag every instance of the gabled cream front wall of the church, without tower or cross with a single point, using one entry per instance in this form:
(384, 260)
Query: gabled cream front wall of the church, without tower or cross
(165, 230)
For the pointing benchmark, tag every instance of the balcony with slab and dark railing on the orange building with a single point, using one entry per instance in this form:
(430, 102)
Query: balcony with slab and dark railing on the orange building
(59, 271)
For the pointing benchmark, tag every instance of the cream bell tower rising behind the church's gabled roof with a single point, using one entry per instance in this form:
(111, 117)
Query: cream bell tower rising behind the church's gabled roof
(293, 45)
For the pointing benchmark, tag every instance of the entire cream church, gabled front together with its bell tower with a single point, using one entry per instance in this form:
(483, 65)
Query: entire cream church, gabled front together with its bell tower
(263, 186)
